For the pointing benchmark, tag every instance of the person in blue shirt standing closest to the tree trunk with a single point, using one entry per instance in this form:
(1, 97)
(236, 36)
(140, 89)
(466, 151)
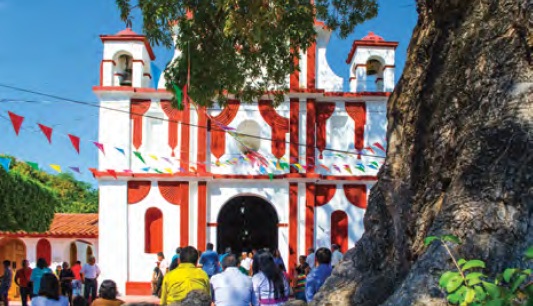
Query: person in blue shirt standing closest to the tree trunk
(319, 274)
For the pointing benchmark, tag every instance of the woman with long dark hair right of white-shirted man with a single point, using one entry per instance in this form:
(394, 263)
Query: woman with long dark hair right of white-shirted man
(269, 284)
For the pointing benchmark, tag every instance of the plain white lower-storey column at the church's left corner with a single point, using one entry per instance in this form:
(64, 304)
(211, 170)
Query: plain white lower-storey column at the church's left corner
(113, 232)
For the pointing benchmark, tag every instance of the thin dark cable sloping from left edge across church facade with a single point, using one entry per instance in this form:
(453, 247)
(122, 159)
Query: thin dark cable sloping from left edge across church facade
(97, 105)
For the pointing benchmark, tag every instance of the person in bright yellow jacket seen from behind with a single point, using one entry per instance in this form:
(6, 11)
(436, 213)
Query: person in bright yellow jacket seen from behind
(184, 279)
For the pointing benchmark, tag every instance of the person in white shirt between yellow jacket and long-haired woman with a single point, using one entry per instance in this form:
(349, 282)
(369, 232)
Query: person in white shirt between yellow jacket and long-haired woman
(232, 287)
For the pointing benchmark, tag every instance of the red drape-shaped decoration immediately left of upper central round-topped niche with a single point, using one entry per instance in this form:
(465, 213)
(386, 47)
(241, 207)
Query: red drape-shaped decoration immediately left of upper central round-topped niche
(218, 135)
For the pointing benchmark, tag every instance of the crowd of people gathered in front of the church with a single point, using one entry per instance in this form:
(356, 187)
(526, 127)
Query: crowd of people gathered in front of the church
(259, 277)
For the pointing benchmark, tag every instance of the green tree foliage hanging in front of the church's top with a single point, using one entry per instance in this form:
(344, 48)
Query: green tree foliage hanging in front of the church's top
(240, 47)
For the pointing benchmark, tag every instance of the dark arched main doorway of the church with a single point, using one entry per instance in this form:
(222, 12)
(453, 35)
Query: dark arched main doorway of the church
(247, 222)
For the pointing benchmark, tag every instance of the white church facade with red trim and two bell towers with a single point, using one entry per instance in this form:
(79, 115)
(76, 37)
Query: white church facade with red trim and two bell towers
(186, 181)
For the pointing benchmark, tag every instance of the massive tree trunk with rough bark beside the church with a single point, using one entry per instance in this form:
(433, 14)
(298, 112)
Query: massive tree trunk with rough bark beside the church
(459, 161)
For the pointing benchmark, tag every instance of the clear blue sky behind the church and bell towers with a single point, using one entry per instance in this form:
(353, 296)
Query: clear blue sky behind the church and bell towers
(54, 47)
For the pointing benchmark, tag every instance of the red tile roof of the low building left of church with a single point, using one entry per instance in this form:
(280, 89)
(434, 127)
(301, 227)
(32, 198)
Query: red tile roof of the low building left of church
(66, 225)
